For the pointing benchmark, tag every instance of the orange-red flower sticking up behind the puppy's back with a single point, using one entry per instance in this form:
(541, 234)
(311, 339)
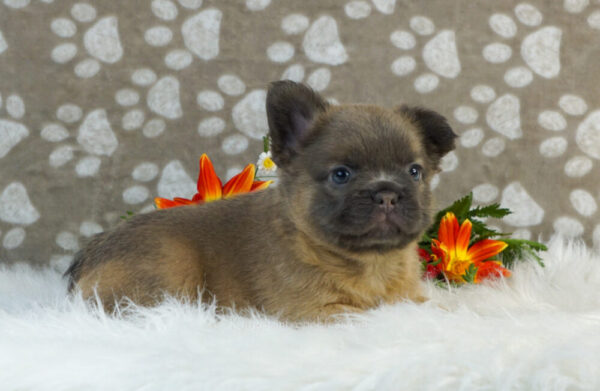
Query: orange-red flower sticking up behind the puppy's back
(210, 187)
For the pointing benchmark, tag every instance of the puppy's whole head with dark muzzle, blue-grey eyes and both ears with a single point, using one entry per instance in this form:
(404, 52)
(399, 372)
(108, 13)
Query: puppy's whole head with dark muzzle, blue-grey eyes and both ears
(355, 176)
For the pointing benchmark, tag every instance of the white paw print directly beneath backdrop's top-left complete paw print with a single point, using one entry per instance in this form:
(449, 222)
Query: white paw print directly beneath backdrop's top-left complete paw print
(94, 136)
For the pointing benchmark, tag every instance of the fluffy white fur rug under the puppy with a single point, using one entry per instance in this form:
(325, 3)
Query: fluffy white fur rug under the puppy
(538, 330)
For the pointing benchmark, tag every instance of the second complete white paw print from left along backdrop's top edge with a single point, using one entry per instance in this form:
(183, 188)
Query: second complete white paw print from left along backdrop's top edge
(200, 32)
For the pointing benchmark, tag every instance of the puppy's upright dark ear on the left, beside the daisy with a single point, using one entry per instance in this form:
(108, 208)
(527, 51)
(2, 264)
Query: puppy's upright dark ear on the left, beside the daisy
(291, 110)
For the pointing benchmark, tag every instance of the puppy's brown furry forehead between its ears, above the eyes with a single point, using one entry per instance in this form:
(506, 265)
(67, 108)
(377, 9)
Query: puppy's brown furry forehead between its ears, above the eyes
(366, 136)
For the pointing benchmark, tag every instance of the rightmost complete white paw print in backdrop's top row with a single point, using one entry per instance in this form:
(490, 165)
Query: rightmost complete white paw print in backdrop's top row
(540, 49)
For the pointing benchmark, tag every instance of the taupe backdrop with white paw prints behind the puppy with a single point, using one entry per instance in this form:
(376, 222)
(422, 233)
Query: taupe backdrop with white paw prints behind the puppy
(105, 105)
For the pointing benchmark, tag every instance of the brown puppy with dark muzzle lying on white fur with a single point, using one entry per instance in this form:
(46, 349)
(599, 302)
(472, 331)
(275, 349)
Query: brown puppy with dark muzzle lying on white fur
(338, 234)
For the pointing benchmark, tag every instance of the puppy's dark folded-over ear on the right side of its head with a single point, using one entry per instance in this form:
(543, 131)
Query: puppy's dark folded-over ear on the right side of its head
(438, 137)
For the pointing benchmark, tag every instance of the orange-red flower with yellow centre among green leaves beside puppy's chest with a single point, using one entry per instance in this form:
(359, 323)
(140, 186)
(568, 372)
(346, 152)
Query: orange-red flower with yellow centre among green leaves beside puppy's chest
(458, 261)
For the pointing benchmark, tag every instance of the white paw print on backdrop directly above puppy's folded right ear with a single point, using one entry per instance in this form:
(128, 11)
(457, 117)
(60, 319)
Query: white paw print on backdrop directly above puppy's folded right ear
(439, 54)
